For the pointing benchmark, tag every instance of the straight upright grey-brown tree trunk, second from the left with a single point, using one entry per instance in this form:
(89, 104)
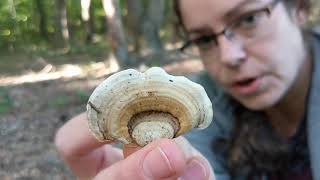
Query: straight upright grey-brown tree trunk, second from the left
(61, 21)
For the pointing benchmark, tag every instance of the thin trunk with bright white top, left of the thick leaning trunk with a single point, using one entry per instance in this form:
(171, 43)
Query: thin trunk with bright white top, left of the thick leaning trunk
(86, 13)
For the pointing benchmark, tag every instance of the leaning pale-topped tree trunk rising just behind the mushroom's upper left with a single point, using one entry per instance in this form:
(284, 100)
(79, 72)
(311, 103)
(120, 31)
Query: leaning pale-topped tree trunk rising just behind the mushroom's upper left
(116, 32)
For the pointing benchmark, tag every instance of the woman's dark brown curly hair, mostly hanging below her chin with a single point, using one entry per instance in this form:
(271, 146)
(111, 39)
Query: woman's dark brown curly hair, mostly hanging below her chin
(254, 147)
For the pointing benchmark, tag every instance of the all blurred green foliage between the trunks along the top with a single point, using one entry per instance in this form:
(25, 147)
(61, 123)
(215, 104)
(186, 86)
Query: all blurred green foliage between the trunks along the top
(21, 20)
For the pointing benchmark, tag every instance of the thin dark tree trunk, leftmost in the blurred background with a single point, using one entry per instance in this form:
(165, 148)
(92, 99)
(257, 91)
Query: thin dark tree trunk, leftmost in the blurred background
(42, 19)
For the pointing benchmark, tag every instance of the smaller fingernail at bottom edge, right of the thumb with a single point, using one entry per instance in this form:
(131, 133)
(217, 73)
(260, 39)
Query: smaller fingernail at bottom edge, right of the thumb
(194, 170)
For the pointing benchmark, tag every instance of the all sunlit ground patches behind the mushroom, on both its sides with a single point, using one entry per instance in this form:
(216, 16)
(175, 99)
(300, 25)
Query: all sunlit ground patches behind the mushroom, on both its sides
(92, 70)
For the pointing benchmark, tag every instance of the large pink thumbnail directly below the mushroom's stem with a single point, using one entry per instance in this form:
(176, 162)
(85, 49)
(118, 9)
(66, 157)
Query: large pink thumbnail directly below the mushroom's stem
(156, 164)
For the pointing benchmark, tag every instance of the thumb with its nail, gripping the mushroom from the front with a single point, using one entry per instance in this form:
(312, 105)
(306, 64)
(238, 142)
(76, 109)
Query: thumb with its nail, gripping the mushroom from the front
(158, 160)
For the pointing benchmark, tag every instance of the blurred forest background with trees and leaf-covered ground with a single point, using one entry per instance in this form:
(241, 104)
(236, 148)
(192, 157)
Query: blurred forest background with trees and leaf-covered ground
(54, 53)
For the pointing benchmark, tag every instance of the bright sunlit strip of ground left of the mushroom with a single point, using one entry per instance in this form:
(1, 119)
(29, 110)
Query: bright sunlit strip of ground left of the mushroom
(65, 71)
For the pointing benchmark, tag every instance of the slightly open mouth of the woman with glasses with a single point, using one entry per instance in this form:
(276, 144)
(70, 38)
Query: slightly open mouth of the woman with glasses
(246, 86)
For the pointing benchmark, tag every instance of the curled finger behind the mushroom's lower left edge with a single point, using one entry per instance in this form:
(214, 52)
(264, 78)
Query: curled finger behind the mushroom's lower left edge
(81, 151)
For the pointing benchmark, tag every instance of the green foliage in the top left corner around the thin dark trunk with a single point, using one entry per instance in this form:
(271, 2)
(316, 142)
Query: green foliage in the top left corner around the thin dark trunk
(19, 22)
